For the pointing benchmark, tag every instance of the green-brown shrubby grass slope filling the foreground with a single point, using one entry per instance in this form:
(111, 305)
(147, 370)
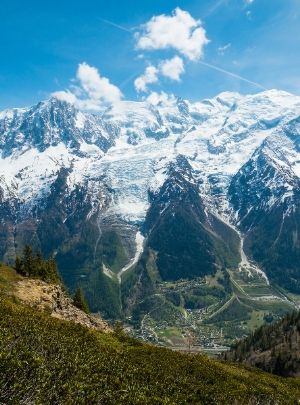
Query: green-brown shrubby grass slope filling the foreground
(44, 360)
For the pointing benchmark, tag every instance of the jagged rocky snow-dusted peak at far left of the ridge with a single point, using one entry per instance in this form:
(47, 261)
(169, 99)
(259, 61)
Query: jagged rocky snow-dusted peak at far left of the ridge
(49, 123)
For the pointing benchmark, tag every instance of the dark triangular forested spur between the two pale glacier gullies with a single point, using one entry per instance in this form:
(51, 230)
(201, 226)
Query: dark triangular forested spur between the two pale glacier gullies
(176, 212)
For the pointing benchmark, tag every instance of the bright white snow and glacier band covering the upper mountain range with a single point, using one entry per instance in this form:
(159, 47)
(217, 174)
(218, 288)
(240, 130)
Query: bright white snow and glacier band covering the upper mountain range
(130, 145)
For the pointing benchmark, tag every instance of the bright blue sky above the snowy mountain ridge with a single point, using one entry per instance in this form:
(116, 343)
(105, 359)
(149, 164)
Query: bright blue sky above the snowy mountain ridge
(43, 43)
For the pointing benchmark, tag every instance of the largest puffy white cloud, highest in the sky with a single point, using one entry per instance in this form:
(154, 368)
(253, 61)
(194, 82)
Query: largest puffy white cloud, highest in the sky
(180, 31)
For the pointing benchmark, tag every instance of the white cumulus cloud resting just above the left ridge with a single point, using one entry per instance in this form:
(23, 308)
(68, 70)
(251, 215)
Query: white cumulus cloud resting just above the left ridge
(92, 92)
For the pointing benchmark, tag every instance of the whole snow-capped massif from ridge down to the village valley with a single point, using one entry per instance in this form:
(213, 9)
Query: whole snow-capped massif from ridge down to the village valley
(178, 218)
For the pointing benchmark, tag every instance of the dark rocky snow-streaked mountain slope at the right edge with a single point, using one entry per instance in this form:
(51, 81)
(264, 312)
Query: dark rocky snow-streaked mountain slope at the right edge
(265, 196)
